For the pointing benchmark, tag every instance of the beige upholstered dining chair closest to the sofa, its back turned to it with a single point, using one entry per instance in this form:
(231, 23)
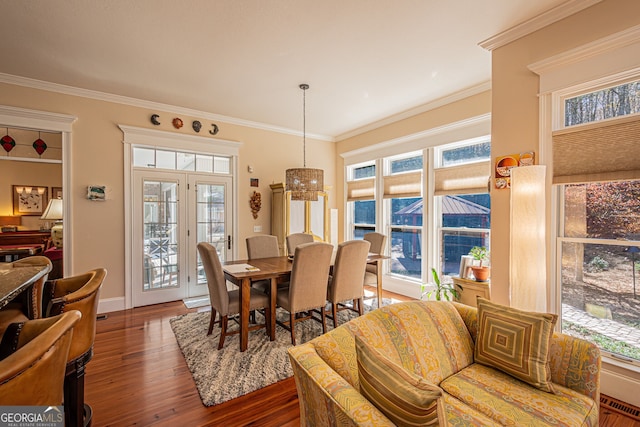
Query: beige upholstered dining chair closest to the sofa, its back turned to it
(307, 289)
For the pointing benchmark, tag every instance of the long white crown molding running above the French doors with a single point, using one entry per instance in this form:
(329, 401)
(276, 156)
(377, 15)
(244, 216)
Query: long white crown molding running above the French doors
(141, 103)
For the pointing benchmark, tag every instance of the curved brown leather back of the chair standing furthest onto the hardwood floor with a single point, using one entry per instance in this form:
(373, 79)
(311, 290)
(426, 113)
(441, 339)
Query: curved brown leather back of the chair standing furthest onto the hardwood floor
(80, 293)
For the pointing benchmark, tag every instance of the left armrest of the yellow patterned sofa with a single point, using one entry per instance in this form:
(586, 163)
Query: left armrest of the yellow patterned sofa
(327, 399)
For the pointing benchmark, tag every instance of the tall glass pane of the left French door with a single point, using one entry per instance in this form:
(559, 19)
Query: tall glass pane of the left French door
(160, 224)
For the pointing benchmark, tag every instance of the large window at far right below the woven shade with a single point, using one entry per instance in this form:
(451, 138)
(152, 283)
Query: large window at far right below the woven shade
(600, 265)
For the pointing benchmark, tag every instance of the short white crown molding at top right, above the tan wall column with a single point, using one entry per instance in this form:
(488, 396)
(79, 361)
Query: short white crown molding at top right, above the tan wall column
(534, 24)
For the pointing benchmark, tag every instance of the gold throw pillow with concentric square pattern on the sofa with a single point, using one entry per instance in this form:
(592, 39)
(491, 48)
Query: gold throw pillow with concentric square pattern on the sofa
(516, 342)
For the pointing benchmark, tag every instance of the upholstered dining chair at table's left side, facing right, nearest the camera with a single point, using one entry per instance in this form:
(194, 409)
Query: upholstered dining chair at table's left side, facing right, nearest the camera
(224, 301)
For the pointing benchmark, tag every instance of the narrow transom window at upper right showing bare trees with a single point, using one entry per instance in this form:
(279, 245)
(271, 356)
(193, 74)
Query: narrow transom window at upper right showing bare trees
(620, 100)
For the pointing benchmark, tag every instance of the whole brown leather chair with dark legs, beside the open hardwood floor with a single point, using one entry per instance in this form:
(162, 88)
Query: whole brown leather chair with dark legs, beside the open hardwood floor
(80, 293)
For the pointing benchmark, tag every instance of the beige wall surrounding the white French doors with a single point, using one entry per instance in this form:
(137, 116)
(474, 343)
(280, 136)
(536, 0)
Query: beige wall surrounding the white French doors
(97, 159)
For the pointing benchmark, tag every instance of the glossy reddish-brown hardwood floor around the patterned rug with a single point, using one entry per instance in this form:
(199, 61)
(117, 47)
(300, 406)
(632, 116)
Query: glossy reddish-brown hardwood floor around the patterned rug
(138, 377)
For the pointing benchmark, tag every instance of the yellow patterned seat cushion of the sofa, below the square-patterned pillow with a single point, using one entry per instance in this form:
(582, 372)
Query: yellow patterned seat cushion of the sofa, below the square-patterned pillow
(512, 402)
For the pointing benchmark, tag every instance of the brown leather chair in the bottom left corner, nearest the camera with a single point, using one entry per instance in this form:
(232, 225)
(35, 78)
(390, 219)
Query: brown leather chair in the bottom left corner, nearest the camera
(33, 356)
